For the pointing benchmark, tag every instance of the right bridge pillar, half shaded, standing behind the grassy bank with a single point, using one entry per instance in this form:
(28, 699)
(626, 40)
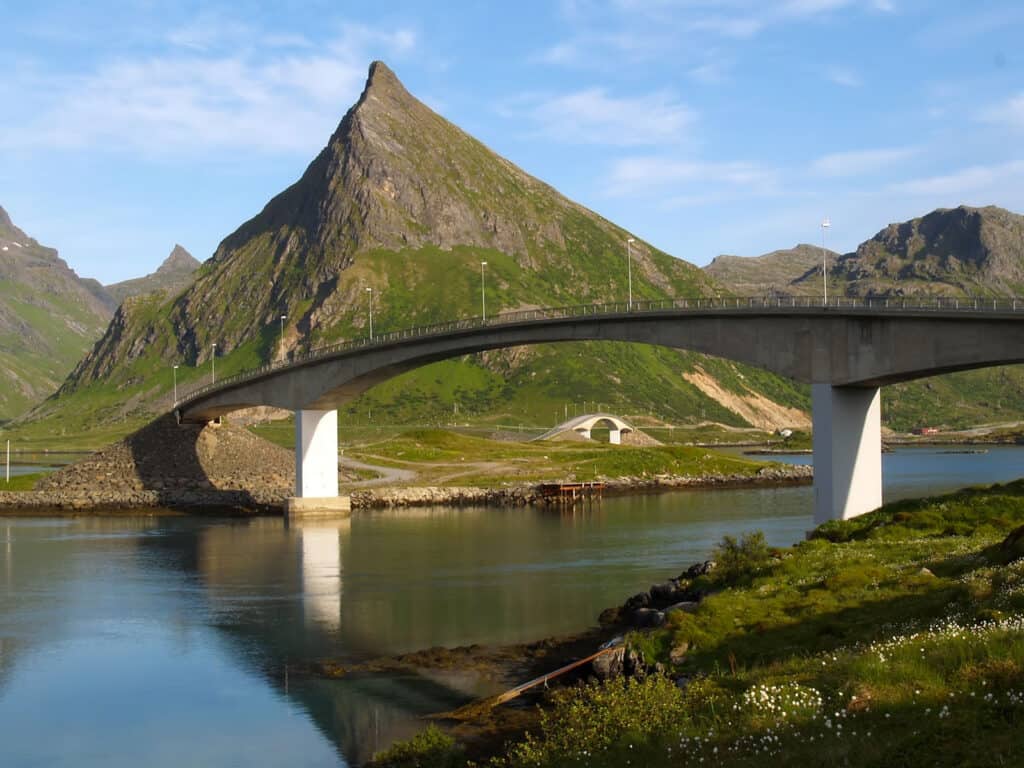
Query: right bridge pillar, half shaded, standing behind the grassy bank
(847, 451)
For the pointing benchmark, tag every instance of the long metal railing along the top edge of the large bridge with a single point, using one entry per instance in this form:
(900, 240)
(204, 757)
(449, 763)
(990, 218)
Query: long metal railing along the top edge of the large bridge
(759, 305)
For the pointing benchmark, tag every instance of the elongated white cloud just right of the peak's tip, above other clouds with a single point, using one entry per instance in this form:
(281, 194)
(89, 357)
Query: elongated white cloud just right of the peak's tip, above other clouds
(591, 116)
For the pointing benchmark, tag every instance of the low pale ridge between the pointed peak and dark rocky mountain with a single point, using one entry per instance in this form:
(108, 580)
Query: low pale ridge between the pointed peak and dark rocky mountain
(779, 272)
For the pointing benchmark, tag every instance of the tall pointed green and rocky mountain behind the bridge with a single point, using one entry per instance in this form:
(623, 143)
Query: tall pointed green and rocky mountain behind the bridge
(405, 203)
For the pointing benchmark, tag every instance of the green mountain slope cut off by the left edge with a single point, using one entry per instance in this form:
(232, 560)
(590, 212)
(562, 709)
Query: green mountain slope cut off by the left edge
(50, 318)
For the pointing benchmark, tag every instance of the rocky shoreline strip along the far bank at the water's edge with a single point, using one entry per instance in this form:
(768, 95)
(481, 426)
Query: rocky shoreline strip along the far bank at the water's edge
(90, 496)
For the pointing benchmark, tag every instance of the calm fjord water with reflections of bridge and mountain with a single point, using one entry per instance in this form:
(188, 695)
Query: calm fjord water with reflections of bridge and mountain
(173, 641)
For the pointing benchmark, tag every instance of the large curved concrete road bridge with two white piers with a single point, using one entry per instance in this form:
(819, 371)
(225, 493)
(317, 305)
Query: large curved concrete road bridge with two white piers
(846, 350)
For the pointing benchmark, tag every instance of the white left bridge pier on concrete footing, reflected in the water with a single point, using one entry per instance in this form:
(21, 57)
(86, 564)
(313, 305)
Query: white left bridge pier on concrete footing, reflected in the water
(317, 467)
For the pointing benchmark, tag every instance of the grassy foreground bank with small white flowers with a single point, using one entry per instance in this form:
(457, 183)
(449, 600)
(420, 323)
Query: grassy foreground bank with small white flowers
(897, 638)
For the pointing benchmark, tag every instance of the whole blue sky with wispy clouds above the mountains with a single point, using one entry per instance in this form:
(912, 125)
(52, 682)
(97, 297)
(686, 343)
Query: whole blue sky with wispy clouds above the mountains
(703, 126)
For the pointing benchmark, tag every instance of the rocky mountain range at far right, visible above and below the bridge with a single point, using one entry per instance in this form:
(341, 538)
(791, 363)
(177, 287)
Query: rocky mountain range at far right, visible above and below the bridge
(950, 252)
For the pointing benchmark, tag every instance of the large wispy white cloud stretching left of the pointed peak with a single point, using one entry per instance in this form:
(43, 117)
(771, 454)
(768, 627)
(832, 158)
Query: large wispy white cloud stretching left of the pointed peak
(191, 100)
